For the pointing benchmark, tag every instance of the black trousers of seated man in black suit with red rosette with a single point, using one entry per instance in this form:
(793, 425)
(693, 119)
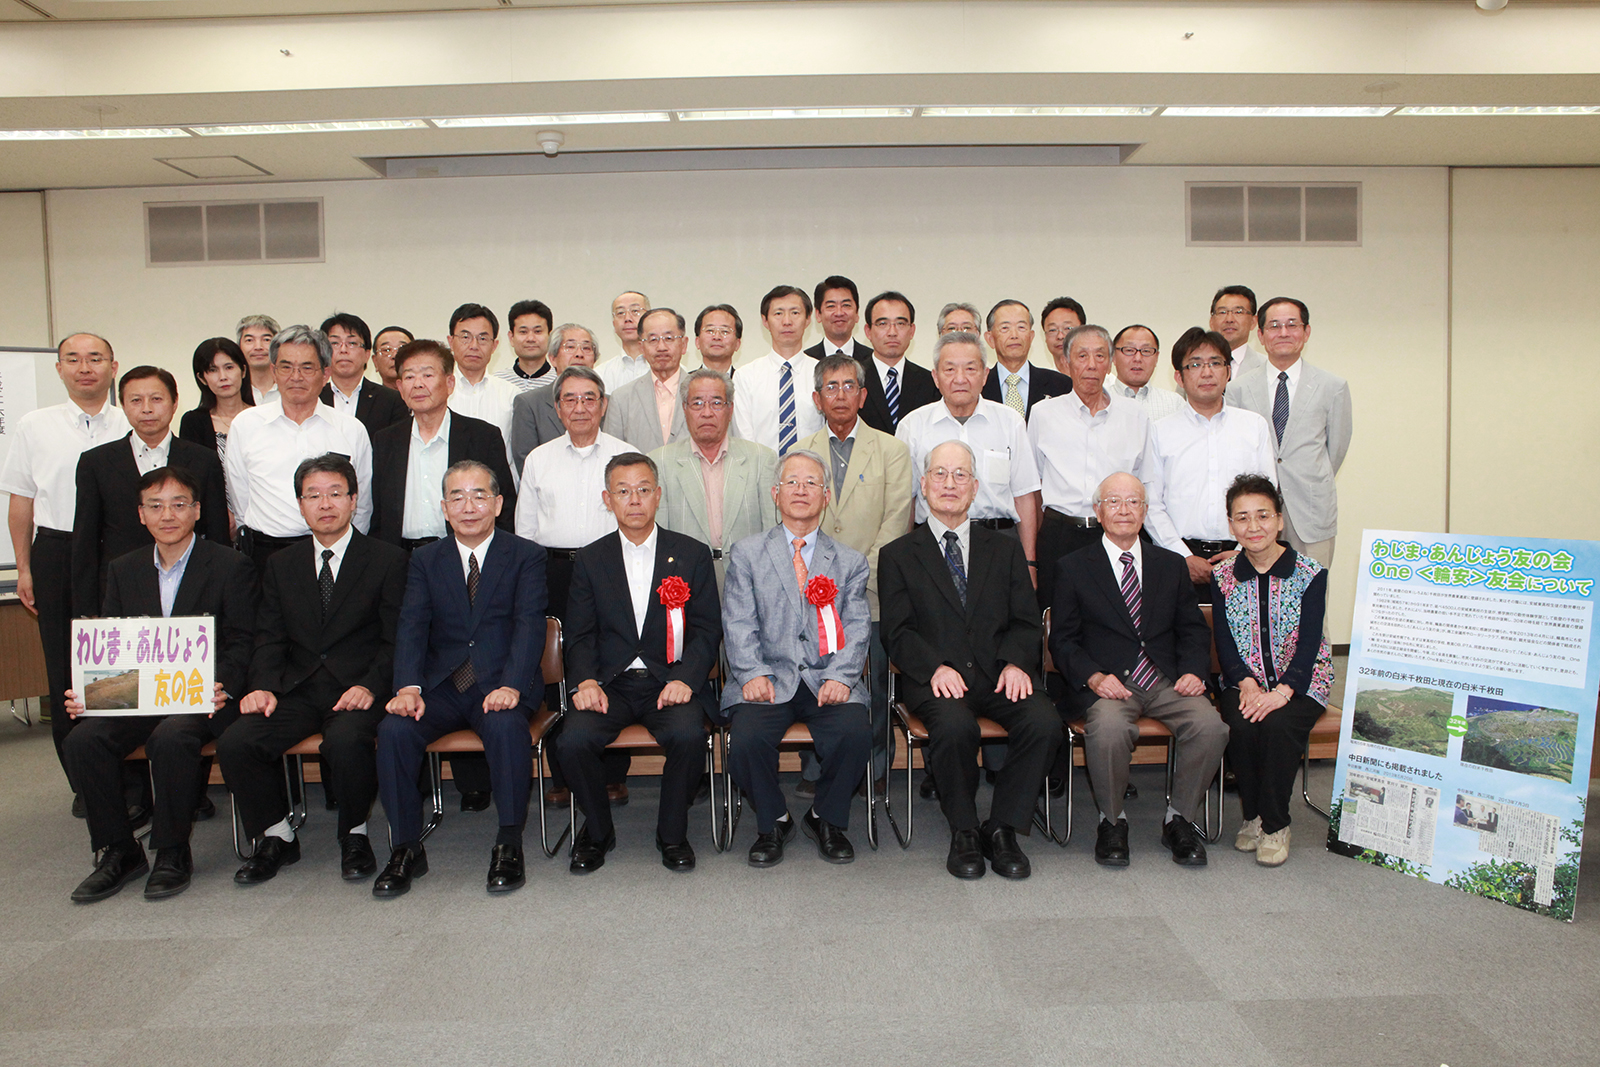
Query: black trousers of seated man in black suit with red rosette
(678, 729)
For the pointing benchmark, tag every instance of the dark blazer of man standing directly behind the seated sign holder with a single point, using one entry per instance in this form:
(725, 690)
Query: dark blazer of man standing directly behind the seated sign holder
(108, 519)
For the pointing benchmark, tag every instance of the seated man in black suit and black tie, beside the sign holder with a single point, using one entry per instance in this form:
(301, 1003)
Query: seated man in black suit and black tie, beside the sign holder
(324, 663)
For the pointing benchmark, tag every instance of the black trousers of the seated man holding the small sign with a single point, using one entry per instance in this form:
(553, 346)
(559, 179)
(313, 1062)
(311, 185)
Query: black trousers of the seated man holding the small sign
(95, 753)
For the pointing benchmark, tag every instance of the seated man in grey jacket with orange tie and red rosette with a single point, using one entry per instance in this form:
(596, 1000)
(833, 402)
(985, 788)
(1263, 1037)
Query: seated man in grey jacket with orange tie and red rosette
(796, 629)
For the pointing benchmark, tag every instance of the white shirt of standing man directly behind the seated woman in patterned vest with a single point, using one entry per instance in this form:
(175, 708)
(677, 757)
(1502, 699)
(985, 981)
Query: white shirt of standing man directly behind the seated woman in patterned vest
(1190, 462)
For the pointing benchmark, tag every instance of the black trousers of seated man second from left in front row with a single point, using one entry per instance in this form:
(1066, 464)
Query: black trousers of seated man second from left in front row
(252, 754)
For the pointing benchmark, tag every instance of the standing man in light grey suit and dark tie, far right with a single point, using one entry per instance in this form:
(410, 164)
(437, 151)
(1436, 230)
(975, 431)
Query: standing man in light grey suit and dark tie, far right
(1310, 412)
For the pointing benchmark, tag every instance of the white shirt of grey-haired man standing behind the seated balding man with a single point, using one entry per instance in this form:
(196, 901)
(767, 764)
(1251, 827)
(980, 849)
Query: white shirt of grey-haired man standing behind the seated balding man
(1079, 450)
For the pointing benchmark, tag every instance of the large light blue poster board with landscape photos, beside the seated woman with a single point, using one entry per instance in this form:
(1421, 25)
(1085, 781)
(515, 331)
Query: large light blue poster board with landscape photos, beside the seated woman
(1470, 714)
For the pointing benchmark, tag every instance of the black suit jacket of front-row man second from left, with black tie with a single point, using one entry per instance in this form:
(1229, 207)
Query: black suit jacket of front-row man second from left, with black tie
(356, 642)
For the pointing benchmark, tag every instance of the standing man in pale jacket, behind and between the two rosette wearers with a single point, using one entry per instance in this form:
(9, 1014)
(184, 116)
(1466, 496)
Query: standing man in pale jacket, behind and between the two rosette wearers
(714, 487)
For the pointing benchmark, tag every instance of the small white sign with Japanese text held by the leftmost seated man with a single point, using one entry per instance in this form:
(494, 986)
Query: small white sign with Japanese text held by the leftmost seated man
(143, 666)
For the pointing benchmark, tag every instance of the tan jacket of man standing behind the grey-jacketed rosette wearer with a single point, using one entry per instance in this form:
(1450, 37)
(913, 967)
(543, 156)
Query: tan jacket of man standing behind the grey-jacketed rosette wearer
(874, 506)
